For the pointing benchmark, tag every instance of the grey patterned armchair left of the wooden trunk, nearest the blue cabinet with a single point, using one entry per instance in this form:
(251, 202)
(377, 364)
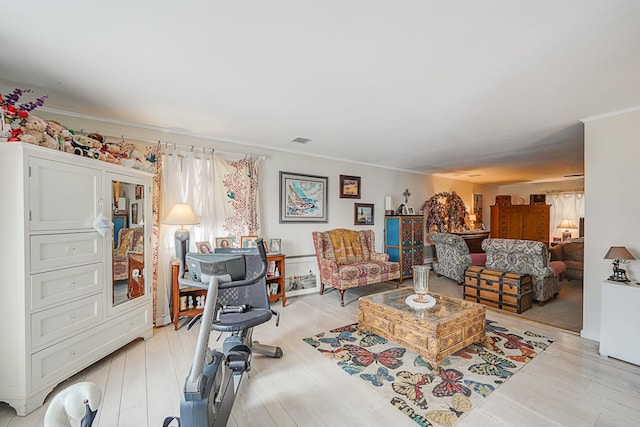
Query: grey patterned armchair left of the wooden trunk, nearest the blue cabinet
(453, 256)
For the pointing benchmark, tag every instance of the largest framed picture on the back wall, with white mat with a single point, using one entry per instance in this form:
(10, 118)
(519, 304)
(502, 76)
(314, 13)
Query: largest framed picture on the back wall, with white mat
(303, 198)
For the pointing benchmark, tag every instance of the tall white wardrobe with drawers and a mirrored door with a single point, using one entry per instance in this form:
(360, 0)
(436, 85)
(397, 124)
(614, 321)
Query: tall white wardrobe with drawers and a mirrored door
(57, 295)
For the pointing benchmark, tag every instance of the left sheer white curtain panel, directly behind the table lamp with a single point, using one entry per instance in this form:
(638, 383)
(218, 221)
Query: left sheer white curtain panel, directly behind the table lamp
(187, 177)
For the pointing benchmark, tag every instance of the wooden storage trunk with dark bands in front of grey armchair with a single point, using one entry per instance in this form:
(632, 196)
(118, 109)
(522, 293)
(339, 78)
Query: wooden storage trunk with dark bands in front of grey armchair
(505, 290)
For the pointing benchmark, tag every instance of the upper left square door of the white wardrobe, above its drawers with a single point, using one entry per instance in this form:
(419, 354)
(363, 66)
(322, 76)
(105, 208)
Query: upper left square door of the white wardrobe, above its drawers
(62, 196)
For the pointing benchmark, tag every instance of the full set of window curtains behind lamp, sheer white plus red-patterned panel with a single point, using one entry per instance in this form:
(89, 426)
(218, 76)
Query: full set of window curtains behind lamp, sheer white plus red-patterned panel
(223, 195)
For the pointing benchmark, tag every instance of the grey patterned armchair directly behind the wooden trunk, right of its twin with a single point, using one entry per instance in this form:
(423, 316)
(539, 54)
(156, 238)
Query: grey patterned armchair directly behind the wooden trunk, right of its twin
(525, 257)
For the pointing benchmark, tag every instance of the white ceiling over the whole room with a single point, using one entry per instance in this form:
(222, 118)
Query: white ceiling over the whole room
(483, 91)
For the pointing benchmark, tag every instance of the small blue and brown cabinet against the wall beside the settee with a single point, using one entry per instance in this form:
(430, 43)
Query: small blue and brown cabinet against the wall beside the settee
(404, 241)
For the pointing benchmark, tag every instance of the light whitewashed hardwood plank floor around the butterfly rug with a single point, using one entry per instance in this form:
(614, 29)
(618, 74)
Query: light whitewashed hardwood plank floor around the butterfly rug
(569, 384)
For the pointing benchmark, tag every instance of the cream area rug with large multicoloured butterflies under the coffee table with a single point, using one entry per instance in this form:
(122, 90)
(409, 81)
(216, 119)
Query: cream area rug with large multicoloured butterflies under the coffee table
(431, 397)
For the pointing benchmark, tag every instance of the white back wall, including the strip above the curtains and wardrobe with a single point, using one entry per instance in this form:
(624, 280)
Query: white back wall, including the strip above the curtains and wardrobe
(376, 183)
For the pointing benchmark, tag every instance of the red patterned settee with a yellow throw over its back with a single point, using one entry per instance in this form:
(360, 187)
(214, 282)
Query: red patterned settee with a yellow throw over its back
(347, 259)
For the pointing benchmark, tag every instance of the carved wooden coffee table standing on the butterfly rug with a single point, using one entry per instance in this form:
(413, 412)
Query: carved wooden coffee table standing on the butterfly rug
(434, 333)
